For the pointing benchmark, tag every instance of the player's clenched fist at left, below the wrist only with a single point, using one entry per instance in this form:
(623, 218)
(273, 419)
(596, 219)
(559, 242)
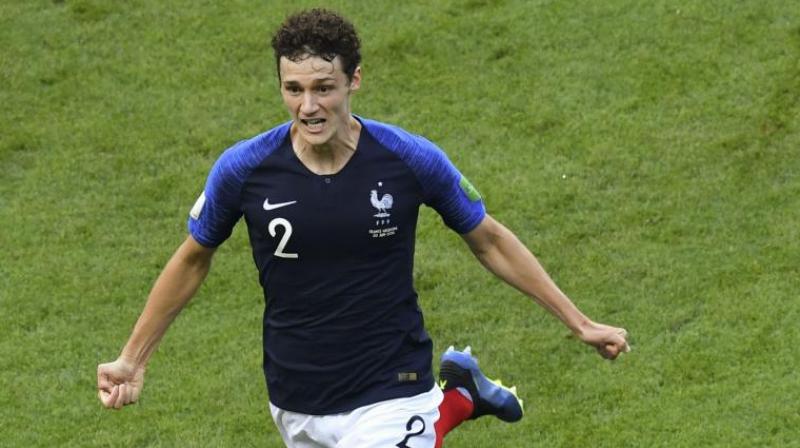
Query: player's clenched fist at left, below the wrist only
(119, 383)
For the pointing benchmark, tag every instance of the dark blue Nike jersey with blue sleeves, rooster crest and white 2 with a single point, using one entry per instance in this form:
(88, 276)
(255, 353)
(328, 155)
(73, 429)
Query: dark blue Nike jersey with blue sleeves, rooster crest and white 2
(335, 253)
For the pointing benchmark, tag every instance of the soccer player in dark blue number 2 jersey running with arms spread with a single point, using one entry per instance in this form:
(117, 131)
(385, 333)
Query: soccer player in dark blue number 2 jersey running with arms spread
(331, 202)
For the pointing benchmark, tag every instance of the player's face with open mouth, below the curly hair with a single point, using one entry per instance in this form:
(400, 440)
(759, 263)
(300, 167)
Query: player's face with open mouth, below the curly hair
(317, 94)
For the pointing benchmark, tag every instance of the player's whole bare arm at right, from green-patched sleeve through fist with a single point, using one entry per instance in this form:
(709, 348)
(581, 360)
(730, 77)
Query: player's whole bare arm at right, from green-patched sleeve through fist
(499, 250)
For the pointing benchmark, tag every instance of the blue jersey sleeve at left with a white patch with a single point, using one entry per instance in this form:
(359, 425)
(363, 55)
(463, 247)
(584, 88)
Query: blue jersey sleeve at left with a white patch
(218, 208)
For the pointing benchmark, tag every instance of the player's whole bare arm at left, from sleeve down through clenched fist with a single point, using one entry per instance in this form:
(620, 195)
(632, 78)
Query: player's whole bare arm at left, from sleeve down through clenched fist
(120, 382)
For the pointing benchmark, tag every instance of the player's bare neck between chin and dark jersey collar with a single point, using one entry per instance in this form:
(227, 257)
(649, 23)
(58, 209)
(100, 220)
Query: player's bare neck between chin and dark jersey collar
(332, 156)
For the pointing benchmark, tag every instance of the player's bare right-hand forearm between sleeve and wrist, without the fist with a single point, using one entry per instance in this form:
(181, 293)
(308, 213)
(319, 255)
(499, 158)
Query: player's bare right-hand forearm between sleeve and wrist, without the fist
(511, 261)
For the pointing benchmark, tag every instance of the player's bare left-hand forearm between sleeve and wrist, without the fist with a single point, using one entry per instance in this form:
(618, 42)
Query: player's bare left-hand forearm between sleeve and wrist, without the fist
(175, 286)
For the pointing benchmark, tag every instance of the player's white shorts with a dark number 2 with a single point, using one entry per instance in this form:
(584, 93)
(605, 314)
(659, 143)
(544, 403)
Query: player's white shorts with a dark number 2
(400, 422)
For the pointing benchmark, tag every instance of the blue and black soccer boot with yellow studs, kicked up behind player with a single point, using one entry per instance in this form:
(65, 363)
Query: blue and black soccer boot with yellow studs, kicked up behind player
(460, 369)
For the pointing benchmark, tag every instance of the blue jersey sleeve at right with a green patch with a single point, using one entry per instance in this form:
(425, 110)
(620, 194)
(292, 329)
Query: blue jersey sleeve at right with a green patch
(446, 190)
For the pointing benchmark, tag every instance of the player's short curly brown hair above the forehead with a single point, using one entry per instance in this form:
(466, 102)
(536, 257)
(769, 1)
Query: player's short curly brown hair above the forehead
(318, 32)
